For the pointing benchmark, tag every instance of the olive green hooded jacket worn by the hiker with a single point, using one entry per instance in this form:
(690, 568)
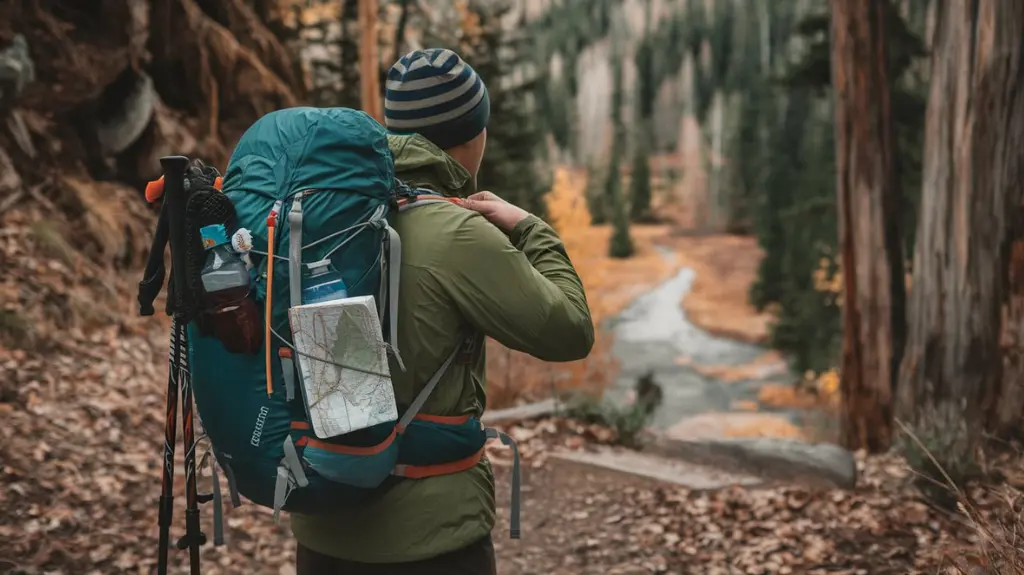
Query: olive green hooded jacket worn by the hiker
(458, 273)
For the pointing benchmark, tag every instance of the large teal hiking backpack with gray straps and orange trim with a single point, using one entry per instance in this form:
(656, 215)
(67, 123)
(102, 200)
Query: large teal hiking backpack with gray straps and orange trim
(322, 185)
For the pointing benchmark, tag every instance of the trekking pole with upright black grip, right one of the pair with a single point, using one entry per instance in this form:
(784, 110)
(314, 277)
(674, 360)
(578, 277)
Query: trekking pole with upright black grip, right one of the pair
(176, 197)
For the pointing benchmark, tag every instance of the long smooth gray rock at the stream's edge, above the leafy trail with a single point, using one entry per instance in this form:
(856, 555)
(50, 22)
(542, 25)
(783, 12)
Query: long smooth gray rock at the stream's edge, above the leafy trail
(782, 460)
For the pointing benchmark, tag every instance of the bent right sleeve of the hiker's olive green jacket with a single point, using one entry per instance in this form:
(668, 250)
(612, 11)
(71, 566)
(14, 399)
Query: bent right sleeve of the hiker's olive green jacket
(521, 290)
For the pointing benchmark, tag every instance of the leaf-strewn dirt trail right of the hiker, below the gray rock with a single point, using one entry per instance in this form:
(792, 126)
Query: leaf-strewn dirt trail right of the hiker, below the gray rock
(582, 521)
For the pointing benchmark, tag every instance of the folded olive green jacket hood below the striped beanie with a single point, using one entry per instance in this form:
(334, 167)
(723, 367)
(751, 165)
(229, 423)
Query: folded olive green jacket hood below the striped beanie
(419, 163)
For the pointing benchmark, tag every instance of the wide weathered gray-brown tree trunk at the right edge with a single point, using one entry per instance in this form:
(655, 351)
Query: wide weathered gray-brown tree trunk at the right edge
(971, 219)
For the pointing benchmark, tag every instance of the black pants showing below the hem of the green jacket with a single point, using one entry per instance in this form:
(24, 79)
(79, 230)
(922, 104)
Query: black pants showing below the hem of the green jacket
(477, 559)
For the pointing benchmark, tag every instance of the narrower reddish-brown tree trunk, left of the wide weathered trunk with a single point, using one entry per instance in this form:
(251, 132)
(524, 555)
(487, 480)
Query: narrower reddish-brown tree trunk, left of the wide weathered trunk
(869, 224)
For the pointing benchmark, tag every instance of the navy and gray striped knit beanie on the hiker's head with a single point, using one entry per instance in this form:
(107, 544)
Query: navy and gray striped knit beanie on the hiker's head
(438, 96)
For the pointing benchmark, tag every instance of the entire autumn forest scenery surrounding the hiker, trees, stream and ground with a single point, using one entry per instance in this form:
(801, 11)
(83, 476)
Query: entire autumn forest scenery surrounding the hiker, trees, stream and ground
(798, 225)
